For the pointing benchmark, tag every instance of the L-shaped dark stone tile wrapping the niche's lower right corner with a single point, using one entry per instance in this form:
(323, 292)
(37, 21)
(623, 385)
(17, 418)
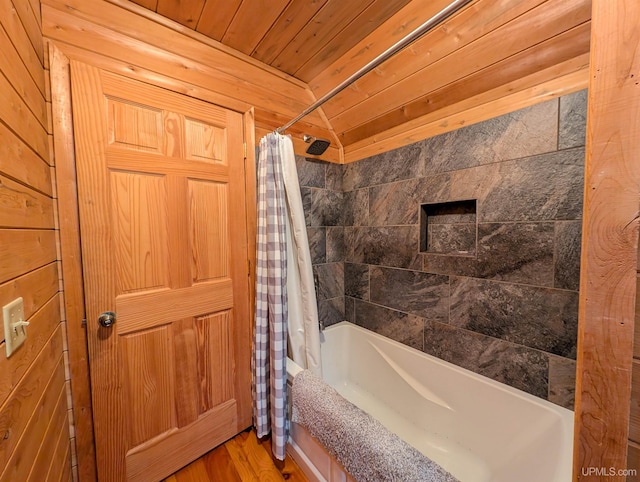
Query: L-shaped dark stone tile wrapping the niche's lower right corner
(516, 252)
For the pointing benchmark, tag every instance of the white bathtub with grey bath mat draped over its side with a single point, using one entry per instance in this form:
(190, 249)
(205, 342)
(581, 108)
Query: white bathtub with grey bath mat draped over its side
(476, 428)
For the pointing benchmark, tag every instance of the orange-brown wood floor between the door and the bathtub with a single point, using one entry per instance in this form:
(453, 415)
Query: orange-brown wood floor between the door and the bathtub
(243, 458)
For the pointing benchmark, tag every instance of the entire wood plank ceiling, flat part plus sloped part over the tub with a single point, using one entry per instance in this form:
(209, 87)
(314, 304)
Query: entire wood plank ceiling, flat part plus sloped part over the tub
(487, 51)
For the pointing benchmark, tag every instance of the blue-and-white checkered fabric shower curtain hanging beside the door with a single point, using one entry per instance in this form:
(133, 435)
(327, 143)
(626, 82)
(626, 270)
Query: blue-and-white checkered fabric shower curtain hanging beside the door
(270, 343)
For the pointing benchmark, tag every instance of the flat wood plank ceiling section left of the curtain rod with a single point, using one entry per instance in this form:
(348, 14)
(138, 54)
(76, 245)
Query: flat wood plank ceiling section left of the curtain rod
(298, 37)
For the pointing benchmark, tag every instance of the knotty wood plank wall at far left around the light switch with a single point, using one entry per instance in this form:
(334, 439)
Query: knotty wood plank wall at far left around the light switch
(34, 423)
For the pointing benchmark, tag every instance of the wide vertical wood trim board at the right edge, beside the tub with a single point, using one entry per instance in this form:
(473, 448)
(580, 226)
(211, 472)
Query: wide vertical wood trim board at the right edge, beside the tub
(610, 243)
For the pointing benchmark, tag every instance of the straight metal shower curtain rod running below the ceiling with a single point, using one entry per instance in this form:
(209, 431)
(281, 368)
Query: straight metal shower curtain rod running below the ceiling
(395, 48)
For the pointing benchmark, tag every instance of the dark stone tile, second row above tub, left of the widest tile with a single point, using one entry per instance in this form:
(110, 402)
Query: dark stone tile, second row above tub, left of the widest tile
(415, 292)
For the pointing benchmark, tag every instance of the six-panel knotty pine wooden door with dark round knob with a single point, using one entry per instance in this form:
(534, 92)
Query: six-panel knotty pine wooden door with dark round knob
(164, 243)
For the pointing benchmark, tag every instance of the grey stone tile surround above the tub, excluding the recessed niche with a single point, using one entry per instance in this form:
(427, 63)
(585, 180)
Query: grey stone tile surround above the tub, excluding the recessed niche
(507, 311)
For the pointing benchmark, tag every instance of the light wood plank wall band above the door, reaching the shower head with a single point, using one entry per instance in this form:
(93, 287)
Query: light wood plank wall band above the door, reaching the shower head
(135, 42)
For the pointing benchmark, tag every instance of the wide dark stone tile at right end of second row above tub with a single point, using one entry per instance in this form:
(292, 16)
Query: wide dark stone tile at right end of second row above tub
(542, 318)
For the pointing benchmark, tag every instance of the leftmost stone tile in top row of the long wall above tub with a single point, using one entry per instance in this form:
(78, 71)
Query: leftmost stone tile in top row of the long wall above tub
(403, 163)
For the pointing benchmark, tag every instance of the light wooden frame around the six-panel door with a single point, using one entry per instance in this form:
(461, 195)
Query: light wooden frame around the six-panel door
(70, 252)
